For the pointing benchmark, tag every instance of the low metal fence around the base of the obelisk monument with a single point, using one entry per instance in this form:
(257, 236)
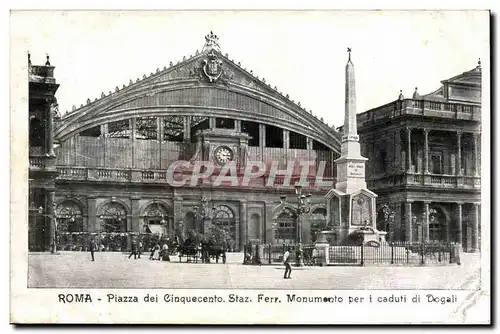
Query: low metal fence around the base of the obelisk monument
(391, 253)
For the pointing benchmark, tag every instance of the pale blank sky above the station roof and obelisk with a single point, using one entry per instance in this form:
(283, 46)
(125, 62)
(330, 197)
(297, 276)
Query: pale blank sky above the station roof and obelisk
(303, 53)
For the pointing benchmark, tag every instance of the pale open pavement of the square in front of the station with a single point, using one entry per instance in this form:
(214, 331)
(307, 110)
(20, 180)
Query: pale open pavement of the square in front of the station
(115, 270)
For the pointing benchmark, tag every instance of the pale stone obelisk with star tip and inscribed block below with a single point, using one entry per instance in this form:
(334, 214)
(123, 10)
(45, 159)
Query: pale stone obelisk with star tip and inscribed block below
(351, 165)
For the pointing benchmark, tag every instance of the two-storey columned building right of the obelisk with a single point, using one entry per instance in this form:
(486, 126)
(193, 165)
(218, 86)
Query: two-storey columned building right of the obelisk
(425, 162)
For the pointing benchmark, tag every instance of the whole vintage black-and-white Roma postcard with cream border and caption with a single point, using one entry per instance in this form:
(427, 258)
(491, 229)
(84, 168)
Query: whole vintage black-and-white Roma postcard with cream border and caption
(250, 167)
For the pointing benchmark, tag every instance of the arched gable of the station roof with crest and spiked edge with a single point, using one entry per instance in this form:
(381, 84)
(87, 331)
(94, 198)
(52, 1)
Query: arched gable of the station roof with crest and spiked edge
(207, 81)
